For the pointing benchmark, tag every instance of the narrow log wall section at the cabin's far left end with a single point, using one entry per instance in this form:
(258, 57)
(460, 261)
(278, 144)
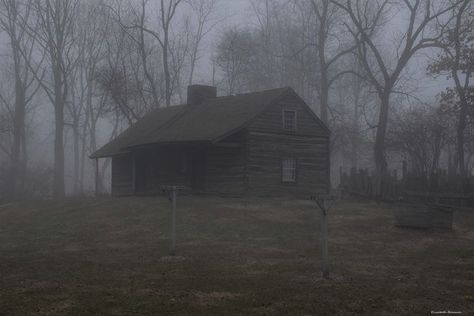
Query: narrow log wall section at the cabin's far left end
(122, 175)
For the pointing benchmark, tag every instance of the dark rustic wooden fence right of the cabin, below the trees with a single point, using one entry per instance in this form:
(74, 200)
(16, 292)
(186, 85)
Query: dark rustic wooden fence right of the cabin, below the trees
(441, 188)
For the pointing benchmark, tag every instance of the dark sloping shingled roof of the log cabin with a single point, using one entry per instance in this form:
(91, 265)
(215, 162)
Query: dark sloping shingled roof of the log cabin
(206, 122)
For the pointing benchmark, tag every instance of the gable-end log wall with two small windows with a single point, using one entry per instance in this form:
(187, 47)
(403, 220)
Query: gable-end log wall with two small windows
(268, 143)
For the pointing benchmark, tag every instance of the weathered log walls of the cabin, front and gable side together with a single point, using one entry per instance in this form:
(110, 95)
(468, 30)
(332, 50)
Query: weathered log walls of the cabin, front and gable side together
(247, 162)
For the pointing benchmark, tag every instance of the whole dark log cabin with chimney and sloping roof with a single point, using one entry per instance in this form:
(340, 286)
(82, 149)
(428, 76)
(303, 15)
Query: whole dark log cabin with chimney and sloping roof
(267, 143)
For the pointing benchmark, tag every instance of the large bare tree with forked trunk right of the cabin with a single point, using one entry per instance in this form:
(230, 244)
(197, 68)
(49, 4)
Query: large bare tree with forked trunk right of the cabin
(366, 17)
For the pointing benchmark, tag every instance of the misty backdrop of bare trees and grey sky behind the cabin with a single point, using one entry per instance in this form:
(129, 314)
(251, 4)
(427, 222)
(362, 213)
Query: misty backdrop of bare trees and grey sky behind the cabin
(98, 66)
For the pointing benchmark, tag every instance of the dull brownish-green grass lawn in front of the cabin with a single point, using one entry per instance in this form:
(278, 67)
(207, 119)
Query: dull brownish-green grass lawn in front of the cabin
(109, 256)
